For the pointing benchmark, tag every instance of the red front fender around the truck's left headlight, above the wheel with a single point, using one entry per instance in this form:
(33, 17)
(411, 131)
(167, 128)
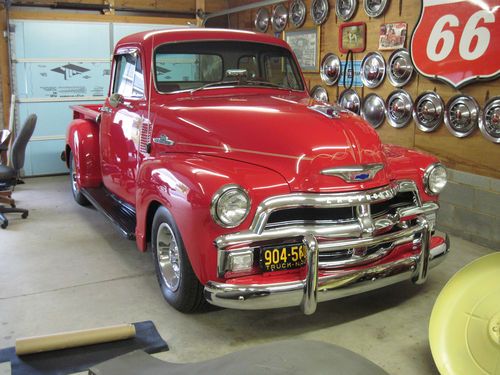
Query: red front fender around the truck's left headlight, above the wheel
(185, 185)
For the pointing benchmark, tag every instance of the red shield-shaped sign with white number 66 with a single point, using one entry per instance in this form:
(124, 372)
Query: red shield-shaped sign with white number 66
(457, 41)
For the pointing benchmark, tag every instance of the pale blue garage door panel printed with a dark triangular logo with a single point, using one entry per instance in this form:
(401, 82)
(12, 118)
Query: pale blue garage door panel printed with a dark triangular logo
(63, 79)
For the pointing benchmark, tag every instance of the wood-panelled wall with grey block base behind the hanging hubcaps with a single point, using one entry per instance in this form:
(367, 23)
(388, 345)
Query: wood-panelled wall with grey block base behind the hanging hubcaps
(471, 202)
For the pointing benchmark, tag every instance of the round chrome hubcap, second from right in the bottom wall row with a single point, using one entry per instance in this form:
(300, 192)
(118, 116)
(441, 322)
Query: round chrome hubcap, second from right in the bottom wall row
(462, 115)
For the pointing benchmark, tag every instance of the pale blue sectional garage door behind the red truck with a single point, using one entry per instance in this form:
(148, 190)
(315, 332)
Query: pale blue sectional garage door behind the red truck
(56, 65)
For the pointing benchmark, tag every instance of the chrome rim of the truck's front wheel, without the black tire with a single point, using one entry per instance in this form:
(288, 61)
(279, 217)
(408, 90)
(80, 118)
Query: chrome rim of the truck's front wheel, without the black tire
(167, 251)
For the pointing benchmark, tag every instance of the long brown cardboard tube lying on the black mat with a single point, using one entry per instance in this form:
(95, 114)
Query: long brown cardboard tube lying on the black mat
(74, 339)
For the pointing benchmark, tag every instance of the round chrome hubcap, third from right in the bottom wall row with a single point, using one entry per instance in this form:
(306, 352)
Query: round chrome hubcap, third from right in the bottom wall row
(428, 111)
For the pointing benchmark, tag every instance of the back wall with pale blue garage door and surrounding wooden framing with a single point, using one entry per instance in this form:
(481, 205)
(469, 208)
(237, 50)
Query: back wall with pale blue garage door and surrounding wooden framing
(61, 57)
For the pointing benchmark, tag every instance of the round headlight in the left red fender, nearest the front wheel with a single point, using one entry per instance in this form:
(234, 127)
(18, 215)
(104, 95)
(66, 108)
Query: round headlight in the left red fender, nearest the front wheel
(230, 206)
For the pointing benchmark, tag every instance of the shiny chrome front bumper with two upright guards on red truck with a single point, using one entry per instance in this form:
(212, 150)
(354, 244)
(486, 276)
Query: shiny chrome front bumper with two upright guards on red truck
(340, 283)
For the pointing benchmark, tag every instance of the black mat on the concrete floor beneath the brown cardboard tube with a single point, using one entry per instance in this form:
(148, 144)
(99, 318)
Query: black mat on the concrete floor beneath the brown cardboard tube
(67, 361)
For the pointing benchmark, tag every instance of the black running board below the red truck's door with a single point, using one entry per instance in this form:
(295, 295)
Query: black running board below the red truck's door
(121, 215)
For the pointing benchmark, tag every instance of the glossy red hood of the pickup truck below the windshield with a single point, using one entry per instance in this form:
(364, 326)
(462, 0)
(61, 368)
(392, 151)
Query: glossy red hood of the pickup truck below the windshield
(280, 132)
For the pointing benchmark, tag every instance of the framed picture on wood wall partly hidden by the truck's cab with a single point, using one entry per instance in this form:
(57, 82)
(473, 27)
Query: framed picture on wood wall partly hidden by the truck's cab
(305, 45)
